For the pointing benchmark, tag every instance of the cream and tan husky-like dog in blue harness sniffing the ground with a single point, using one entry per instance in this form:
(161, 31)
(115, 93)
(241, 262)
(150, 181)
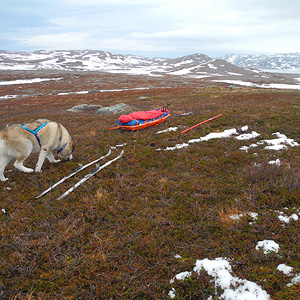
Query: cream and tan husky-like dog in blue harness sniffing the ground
(41, 136)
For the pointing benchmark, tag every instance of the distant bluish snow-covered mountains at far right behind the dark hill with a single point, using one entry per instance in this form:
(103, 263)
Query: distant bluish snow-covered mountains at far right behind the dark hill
(285, 61)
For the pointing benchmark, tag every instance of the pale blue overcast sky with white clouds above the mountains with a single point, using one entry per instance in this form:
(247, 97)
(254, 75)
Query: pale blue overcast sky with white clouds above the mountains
(152, 28)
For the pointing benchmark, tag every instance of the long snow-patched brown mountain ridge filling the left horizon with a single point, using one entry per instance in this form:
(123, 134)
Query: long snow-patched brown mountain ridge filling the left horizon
(91, 60)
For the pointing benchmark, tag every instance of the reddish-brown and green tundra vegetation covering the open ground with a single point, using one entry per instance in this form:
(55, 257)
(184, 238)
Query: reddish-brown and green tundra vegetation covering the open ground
(130, 229)
